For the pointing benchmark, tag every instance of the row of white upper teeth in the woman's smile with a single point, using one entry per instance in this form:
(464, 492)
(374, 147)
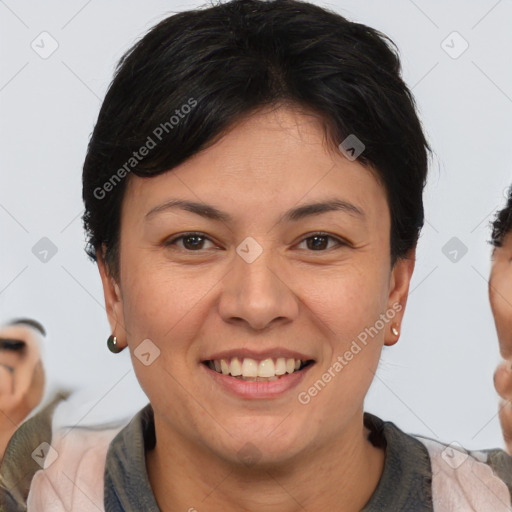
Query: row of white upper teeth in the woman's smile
(247, 367)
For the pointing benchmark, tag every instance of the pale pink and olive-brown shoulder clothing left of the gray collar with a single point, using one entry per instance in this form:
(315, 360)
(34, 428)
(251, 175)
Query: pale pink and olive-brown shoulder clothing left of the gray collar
(55, 460)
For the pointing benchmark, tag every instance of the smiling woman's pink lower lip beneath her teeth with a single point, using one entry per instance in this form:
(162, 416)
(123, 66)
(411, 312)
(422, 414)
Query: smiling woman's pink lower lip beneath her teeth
(258, 390)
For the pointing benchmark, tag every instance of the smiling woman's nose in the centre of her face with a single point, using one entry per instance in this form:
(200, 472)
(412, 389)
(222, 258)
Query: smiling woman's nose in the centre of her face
(259, 293)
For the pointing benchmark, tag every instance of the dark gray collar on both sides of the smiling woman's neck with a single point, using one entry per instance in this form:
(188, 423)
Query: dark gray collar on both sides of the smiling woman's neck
(405, 484)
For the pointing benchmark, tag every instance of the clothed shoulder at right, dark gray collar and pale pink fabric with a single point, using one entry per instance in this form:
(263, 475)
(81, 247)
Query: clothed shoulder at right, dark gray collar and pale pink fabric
(433, 475)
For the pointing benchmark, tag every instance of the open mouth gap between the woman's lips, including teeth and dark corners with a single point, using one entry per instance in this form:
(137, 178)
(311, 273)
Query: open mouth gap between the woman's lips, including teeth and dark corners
(259, 371)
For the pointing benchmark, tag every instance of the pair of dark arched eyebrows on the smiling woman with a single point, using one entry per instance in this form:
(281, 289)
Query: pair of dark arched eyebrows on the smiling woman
(292, 215)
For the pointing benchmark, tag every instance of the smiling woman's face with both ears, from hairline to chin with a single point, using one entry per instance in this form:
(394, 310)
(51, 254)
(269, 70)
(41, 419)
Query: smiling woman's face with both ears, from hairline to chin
(255, 284)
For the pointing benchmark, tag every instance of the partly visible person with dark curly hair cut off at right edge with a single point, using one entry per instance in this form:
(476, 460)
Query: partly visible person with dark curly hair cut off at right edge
(500, 295)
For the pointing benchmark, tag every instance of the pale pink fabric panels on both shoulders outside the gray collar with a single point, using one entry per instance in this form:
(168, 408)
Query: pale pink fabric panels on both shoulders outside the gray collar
(74, 482)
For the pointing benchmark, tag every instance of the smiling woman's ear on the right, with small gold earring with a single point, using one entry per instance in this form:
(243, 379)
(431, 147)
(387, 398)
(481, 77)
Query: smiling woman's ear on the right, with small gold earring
(398, 292)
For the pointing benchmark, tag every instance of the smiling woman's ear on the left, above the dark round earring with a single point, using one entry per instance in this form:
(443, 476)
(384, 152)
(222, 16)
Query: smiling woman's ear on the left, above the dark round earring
(113, 299)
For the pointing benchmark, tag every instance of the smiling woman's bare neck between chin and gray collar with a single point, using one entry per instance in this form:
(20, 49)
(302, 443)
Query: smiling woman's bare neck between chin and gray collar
(341, 475)
